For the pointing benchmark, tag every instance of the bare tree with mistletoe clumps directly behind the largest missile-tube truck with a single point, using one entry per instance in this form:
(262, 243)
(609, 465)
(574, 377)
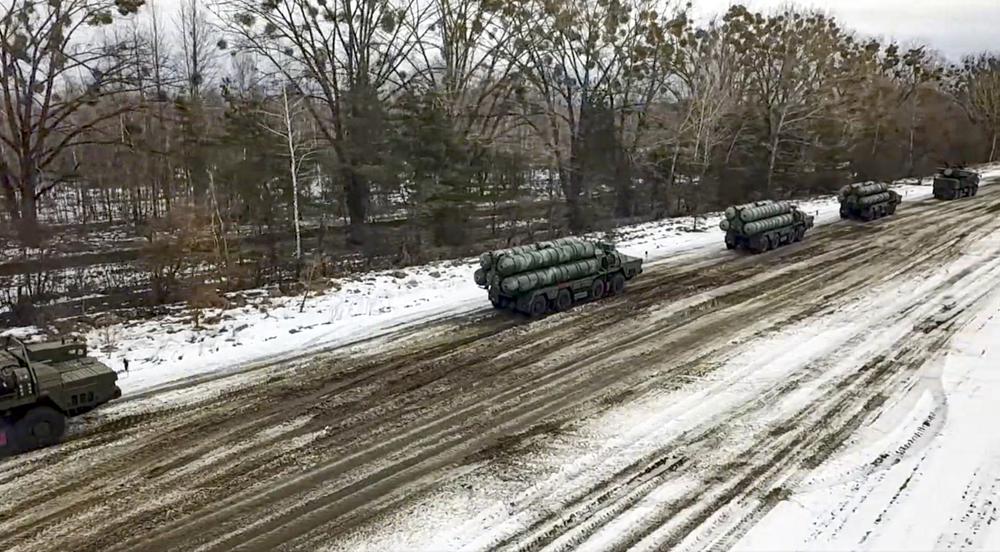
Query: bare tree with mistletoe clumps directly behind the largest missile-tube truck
(581, 57)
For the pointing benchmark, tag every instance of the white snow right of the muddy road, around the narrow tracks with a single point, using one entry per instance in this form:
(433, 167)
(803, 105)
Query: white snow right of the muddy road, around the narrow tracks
(937, 488)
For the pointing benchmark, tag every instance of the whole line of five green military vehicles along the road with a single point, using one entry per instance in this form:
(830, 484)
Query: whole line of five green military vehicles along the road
(43, 384)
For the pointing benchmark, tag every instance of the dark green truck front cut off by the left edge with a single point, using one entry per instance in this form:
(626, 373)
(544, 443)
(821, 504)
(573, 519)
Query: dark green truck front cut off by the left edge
(43, 384)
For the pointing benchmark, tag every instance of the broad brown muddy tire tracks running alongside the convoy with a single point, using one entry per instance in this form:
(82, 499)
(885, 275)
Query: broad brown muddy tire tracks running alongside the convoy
(234, 418)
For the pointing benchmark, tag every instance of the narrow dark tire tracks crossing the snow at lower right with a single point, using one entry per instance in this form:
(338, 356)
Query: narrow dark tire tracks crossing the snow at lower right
(643, 477)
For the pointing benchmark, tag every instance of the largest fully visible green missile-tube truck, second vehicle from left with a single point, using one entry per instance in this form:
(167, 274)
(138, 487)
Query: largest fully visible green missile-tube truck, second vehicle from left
(551, 276)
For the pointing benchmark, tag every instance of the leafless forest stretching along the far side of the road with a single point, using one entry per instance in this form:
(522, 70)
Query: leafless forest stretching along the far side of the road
(149, 158)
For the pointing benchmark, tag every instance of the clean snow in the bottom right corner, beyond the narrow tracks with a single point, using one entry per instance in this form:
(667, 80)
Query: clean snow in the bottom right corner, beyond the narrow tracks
(940, 487)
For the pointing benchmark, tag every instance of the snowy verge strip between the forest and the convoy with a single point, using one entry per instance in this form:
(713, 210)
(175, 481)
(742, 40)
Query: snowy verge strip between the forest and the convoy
(170, 348)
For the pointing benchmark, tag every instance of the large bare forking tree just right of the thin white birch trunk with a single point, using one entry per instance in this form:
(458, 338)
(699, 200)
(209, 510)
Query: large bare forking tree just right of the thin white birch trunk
(347, 56)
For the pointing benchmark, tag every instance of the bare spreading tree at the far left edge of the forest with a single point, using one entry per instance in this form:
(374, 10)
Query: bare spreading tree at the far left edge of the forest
(54, 84)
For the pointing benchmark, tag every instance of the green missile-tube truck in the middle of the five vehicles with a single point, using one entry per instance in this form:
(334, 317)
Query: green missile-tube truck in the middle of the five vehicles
(764, 225)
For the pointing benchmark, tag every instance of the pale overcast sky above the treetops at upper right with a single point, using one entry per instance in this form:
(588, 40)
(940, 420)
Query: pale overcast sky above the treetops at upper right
(953, 27)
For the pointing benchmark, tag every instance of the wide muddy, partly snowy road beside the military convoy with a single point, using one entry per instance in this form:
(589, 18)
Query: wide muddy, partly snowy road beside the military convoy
(753, 370)
